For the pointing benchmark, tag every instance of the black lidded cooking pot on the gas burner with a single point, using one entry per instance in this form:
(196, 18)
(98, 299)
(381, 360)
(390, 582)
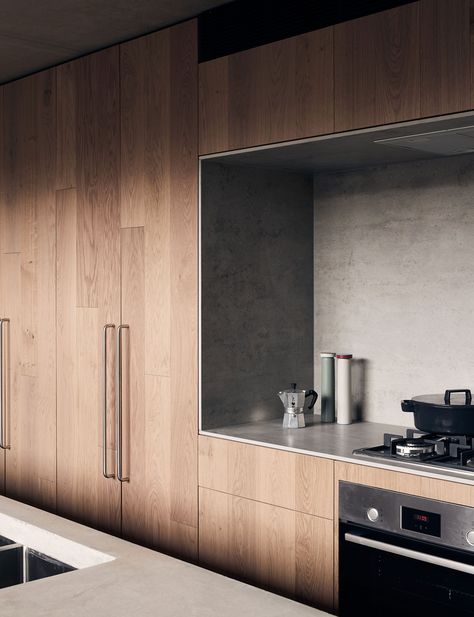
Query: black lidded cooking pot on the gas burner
(435, 413)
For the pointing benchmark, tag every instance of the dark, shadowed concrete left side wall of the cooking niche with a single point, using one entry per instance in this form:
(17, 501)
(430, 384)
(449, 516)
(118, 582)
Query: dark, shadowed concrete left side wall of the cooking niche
(257, 290)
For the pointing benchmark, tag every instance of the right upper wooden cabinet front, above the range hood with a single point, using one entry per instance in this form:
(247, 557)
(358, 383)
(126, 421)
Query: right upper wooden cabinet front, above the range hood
(413, 61)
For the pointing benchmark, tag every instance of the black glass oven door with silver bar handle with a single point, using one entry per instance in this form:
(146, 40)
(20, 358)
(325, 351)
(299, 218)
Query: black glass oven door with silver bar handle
(385, 574)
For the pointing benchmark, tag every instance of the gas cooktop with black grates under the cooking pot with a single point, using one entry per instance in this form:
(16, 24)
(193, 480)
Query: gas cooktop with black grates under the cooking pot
(449, 451)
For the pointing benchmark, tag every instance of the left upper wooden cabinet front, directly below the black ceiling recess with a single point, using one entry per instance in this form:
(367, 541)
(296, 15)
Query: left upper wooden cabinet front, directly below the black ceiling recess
(271, 93)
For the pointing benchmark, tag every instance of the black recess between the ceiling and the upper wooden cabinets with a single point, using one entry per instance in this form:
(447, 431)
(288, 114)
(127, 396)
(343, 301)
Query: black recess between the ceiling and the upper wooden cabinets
(243, 24)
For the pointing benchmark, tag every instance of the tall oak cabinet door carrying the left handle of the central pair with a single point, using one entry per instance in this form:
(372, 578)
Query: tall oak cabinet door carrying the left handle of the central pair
(88, 286)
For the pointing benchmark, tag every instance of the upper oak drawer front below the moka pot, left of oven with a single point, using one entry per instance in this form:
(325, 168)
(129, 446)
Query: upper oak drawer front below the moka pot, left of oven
(294, 481)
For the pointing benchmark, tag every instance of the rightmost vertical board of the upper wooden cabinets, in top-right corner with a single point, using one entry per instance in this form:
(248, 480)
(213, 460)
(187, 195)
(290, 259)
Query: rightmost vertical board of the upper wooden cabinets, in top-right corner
(445, 56)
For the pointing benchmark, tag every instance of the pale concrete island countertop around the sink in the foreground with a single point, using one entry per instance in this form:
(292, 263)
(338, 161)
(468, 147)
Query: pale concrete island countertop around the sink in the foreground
(137, 582)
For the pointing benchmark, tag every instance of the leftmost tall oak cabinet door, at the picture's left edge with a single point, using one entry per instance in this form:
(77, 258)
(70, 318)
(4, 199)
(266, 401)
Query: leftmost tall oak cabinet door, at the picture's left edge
(27, 264)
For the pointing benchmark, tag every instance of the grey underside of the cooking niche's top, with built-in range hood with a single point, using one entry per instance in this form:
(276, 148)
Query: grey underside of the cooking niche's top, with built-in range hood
(415, 140)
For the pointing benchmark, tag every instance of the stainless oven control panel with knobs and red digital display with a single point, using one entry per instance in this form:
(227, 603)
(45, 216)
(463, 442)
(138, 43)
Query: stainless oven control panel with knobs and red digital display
(443, 523)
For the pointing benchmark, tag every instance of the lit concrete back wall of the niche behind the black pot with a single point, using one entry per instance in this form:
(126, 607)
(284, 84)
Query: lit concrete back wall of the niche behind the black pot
(394, 279)
